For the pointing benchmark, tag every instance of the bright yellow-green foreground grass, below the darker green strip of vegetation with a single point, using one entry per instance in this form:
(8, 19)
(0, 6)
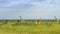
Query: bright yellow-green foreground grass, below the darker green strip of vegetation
(39, 29)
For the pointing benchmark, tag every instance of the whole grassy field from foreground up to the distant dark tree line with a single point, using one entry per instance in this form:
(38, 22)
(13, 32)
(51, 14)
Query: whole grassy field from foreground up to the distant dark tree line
(30, 28)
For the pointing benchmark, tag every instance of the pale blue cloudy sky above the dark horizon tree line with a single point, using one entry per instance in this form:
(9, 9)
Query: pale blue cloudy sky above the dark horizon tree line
(29, 9)
